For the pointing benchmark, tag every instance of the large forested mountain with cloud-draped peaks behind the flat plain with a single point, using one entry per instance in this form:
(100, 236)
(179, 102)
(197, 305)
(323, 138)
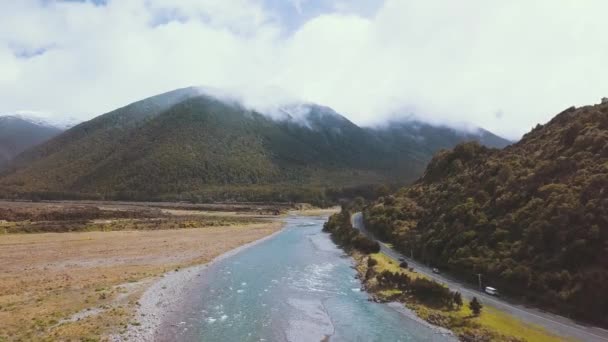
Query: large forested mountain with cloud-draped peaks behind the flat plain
(187, 144)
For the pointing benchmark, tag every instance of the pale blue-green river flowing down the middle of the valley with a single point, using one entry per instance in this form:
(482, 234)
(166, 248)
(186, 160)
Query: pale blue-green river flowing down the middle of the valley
(296, 286)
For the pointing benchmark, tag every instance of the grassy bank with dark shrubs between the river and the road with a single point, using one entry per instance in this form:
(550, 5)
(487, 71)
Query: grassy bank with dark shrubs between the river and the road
(386, 280)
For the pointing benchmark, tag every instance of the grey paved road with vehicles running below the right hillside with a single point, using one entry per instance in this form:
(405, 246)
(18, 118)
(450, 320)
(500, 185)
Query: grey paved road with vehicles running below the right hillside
(558, 325)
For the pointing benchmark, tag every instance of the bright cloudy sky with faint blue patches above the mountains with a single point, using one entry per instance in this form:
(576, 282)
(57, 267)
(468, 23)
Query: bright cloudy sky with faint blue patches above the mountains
(502, 65)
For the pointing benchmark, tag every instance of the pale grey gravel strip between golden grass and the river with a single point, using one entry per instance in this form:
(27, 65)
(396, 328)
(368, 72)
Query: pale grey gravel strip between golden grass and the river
(166, 295)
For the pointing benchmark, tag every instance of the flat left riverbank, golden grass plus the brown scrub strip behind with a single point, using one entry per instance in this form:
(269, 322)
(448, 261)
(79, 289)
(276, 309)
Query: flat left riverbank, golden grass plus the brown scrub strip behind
(76, 271)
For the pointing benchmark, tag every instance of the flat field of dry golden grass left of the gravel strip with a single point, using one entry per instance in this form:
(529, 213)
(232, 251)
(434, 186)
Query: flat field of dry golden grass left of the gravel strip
(49, 280)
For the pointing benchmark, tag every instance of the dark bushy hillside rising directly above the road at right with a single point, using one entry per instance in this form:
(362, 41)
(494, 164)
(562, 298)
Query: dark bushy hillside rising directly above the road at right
(531, 218)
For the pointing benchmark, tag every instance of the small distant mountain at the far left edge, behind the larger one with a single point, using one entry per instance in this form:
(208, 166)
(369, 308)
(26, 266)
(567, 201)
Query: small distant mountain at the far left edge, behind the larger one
(17, 133)
